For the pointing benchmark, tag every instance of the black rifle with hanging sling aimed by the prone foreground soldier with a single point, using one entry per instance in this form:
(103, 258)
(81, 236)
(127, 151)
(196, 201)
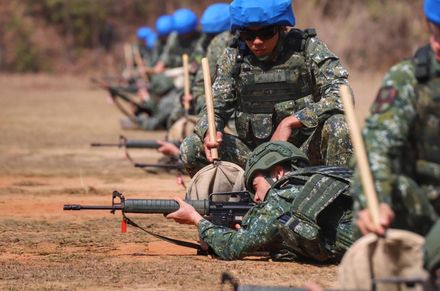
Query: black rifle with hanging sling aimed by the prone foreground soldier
(220, 213)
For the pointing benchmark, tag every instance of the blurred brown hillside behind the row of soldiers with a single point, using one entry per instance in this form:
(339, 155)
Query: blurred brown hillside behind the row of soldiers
(78, 36)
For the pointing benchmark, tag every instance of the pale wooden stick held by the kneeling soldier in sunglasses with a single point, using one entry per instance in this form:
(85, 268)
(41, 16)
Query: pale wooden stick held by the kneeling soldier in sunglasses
(209, 106)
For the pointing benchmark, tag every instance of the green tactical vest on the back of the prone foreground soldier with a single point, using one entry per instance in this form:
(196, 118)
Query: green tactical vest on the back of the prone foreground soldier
(324, 201)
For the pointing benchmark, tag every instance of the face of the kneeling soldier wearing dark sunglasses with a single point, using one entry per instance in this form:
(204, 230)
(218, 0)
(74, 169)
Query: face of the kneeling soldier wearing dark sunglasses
(261, 40)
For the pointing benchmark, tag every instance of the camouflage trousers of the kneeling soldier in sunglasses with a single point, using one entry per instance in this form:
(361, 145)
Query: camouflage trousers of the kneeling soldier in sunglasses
(328, 144)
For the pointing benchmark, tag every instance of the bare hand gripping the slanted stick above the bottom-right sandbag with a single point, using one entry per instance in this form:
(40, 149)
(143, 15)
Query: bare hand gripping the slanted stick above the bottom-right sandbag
(365, 222)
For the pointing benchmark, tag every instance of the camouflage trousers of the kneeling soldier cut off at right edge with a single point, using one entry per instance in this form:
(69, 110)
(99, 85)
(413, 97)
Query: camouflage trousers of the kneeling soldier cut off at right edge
(413, 210)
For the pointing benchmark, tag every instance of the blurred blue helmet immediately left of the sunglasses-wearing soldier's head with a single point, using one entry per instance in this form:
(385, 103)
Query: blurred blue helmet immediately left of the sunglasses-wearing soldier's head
(216, 18)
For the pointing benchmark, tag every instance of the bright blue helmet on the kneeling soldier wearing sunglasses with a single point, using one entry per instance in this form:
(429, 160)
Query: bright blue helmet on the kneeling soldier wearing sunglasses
(245, 13)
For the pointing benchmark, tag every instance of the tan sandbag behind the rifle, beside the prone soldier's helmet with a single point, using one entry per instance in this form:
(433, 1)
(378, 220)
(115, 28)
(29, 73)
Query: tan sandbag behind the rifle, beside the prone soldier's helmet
(214, 178)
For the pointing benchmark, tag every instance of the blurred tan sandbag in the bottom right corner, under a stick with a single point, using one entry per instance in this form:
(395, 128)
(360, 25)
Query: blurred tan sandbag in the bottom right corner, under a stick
(400, 254)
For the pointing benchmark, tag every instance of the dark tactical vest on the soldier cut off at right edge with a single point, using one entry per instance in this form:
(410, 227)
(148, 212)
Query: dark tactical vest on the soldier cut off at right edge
(427, 124)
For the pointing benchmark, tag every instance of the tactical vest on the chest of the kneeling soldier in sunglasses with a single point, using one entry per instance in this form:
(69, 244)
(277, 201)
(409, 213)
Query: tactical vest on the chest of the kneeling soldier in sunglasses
(267, 93)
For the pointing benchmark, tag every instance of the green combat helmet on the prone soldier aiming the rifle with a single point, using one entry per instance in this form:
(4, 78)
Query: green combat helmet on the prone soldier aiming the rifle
(268, 154)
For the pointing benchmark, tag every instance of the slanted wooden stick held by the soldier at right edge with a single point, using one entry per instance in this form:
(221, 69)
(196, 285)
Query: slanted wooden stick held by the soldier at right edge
(361, 155)
